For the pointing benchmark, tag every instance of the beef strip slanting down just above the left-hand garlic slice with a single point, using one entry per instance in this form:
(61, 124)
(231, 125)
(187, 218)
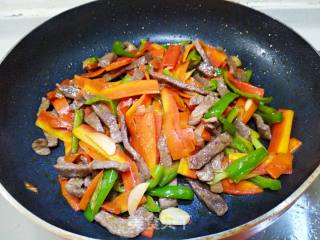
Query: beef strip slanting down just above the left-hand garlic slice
(109, 120)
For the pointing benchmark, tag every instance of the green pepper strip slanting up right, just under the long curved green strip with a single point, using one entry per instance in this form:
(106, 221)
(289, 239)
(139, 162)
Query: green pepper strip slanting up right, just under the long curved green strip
(218, 108)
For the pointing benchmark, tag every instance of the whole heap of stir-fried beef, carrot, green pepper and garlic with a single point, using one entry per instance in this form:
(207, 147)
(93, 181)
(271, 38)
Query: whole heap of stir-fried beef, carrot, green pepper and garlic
(147, 126)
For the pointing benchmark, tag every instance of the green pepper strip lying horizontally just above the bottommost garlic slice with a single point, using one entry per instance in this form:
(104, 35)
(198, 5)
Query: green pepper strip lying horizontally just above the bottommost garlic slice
(176, 192)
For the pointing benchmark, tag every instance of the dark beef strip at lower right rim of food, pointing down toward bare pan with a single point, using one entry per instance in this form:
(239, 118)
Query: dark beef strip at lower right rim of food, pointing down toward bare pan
(213, 201)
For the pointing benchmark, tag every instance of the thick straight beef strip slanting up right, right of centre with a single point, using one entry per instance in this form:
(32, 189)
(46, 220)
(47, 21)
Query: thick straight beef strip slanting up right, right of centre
(214, 147)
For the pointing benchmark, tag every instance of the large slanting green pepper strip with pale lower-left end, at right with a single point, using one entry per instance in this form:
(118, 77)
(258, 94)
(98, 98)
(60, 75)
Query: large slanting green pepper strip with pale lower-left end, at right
(241, 167)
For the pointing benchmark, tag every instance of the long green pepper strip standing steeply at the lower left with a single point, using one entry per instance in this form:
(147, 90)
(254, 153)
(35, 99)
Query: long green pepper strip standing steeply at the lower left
(100, 194)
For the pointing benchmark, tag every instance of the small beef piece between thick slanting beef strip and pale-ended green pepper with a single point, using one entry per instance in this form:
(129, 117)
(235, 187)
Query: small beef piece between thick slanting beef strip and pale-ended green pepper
(207, 172)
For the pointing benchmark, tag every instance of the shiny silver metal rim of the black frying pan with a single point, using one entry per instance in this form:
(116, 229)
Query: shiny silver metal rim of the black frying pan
(260, 222)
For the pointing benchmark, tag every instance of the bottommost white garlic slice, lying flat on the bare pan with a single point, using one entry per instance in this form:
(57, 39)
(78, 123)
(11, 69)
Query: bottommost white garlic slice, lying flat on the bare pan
(174, 216)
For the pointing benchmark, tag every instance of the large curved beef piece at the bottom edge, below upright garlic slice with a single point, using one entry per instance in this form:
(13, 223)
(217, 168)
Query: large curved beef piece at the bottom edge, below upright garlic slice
(125, 227)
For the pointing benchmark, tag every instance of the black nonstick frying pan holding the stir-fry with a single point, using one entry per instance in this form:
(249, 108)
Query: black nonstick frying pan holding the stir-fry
(283, 63)
